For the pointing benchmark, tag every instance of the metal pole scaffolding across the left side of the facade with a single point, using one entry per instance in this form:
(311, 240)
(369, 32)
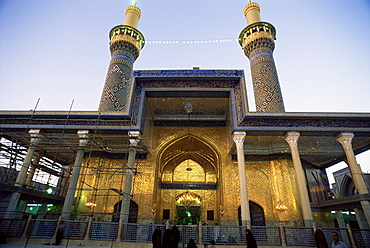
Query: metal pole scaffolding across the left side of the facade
(52, 165)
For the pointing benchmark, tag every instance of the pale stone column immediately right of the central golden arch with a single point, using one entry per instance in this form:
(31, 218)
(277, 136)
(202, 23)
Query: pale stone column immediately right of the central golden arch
(244, 203)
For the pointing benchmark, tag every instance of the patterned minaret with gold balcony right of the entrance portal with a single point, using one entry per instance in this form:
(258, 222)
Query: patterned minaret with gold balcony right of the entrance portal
(257, 40)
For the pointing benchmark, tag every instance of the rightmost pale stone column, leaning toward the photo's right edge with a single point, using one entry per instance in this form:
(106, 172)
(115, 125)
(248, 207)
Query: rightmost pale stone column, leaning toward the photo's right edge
(345, 138)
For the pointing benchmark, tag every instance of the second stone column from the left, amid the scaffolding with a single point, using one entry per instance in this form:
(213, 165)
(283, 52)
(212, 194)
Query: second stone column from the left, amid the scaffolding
(69, 199)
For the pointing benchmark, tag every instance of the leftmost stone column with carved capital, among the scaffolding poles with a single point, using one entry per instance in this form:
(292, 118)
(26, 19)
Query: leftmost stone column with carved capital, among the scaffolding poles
(22, 175)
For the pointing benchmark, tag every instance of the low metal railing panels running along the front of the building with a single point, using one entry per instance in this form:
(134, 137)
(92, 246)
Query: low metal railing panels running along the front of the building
(142, 233)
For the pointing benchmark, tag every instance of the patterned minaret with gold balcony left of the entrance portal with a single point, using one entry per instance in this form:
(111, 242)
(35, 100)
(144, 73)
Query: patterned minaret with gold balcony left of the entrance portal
(125, 45)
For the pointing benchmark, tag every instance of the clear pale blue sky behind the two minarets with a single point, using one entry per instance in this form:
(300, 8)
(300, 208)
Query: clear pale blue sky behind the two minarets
(58, 50)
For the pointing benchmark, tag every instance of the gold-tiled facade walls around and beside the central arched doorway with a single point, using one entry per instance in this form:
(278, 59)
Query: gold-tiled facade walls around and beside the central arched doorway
(268, 181)
